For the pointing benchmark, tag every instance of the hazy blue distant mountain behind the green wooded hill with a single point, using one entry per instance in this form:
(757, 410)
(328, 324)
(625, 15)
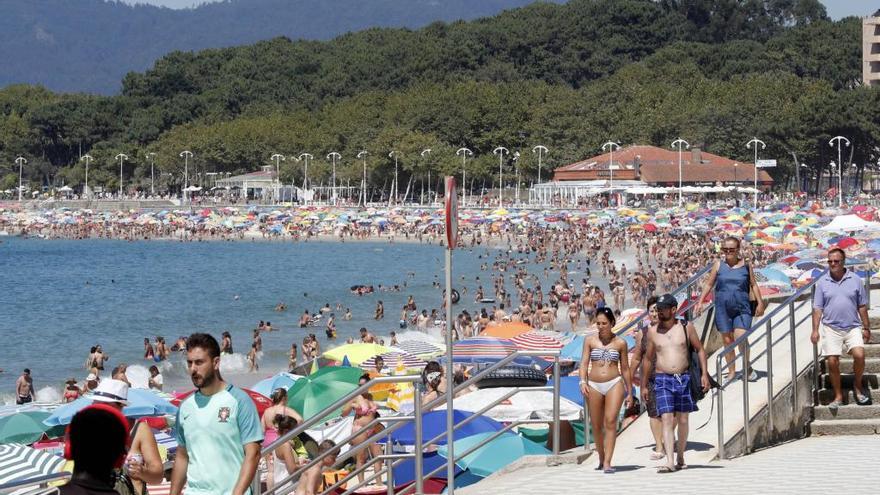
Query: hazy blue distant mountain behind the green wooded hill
(89, 45)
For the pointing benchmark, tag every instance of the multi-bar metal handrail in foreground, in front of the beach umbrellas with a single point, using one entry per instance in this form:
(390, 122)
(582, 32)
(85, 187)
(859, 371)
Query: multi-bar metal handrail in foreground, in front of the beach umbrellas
(399, 421)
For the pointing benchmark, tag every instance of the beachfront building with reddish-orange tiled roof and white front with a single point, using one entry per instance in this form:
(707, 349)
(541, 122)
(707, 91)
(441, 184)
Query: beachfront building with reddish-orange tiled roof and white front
(643, 169)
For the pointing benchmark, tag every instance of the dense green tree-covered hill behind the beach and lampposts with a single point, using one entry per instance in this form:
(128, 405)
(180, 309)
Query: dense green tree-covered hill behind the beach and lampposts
(566, 76)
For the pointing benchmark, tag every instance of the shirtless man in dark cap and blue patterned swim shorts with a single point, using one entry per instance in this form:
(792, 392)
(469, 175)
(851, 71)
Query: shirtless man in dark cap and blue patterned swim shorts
(668, 347)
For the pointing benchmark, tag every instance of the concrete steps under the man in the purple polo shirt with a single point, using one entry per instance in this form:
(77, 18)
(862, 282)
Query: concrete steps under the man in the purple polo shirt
(850, 419)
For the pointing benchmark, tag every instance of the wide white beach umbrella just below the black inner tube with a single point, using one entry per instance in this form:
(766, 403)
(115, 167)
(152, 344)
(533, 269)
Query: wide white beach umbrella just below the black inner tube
(526, 404)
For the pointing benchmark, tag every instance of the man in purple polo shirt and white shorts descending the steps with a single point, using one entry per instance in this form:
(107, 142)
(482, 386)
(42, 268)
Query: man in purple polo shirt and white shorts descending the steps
(840, 305)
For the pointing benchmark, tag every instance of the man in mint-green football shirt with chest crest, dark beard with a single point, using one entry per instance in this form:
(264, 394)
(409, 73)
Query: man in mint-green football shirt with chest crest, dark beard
(218, 430)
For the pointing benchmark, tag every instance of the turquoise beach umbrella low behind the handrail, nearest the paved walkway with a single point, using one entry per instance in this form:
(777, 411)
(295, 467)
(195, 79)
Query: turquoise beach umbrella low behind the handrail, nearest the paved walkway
(495, 455)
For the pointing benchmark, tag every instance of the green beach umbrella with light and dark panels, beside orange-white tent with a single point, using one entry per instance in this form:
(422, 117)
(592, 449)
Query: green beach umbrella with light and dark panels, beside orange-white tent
(311, 394)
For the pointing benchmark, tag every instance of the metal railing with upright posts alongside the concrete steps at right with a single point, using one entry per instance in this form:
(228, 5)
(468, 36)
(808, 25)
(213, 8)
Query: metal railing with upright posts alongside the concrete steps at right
(792, 304)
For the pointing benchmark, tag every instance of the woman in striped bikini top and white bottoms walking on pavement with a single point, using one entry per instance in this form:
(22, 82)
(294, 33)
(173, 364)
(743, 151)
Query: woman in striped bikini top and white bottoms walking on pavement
(606, 383)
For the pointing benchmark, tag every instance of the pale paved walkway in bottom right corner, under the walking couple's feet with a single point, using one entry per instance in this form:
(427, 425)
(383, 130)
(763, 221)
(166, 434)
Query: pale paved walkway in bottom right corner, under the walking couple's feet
(811, 465)
